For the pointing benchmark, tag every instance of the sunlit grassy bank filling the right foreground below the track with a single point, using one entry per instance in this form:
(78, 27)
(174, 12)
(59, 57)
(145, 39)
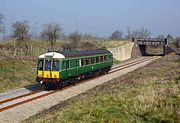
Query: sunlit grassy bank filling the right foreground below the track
(150, 94)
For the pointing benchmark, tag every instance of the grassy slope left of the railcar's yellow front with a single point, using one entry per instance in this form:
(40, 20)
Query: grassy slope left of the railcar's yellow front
(16, 73)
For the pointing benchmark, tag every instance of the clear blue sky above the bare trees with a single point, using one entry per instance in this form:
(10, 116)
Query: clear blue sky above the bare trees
(98, 17)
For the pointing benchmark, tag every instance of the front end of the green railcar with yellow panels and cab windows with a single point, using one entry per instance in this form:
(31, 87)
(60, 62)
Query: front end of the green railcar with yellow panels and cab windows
(48, 68)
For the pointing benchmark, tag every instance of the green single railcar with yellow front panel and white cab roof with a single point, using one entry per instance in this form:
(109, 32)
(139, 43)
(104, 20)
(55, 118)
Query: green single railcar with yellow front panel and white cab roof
(59, 67)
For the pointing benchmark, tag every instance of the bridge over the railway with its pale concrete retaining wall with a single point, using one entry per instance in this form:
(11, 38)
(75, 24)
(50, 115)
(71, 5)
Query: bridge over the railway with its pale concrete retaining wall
(138, 46)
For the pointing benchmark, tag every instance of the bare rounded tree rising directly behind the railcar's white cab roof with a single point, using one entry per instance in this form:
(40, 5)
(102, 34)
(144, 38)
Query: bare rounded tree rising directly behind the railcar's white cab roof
(51, 32)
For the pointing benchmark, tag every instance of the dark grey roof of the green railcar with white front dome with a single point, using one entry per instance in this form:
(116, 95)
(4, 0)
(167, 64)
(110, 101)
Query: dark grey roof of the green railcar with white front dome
(69, 54)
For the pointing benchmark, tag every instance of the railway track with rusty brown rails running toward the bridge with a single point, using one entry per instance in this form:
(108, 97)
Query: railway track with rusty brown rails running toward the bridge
(15, 101)
